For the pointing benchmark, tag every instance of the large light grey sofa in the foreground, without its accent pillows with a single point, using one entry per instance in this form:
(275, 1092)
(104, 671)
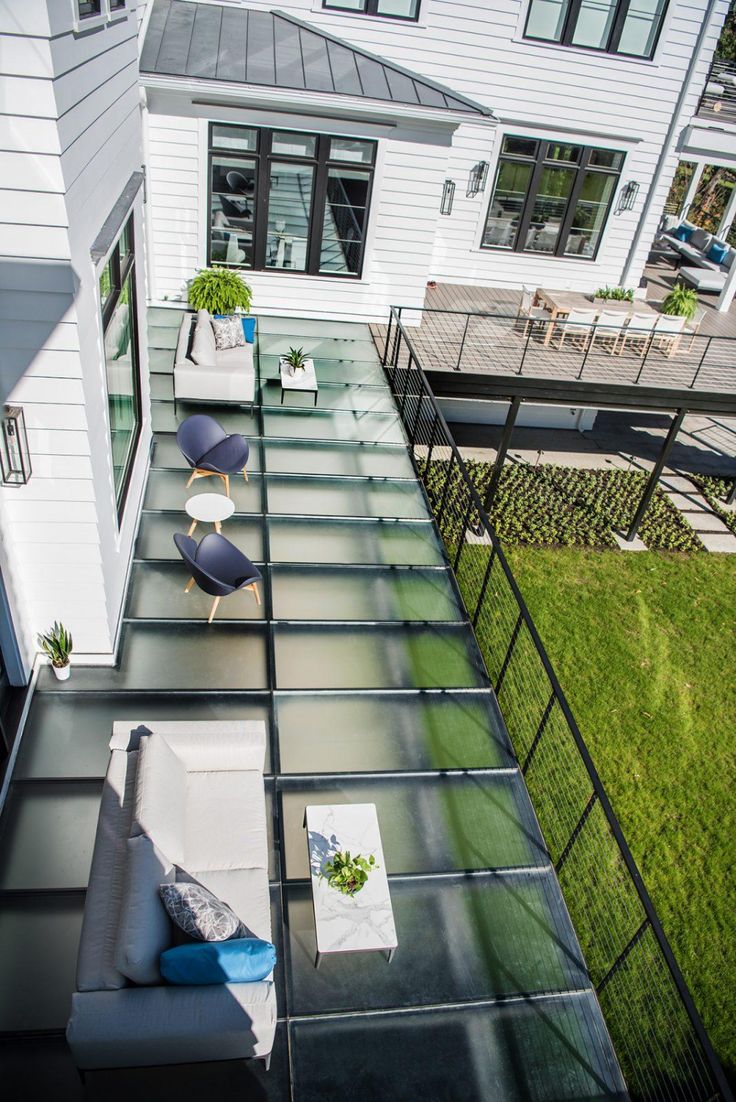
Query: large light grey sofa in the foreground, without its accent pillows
(196, 791)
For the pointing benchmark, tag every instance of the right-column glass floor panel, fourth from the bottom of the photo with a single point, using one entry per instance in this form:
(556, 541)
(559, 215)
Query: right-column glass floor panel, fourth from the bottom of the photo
(356, 733)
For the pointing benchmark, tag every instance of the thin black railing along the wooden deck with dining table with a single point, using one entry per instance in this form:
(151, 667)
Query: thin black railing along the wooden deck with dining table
(510, 343)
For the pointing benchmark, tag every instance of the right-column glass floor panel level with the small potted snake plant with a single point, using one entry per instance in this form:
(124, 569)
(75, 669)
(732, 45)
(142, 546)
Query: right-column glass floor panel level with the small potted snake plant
(366, 657)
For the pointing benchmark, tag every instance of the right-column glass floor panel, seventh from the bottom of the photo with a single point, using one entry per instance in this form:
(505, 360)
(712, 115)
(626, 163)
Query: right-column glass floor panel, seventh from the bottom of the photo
(391, 543)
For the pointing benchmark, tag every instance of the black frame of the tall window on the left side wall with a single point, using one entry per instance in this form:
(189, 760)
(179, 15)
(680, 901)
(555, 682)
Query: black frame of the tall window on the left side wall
(122, 268)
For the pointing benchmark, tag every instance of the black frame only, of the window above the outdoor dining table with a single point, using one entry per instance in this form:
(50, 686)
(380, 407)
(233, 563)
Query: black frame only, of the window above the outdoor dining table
(540, 161)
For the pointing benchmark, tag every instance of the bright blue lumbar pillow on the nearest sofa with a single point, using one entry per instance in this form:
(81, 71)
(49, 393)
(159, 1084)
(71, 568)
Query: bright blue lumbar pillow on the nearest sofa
(240, 960)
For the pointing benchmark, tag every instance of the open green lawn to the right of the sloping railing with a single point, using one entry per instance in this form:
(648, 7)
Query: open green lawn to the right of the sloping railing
(644, 646)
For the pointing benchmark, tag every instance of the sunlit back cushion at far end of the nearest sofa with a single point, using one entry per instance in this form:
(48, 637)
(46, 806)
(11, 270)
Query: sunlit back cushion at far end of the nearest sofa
(160, 800)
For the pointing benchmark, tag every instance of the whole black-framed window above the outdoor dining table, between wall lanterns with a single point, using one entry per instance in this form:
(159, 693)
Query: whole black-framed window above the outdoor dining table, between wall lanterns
(551, 198)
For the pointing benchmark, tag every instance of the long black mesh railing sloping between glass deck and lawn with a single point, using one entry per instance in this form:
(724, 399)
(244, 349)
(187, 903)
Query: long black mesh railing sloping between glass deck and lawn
(661, 1042)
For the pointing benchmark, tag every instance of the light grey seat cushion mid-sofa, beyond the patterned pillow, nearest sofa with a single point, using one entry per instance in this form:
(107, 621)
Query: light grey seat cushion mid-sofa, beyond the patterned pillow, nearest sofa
(225, 822)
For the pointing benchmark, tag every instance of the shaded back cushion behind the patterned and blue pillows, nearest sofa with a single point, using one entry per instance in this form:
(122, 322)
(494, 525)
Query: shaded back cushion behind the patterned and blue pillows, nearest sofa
(145, 931)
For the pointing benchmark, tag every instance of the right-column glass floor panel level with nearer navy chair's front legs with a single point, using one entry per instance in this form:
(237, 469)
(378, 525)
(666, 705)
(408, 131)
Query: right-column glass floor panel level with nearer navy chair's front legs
(382, 595)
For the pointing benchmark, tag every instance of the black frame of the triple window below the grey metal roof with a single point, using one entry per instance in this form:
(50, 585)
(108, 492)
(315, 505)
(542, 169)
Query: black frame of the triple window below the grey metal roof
(265, 157)
